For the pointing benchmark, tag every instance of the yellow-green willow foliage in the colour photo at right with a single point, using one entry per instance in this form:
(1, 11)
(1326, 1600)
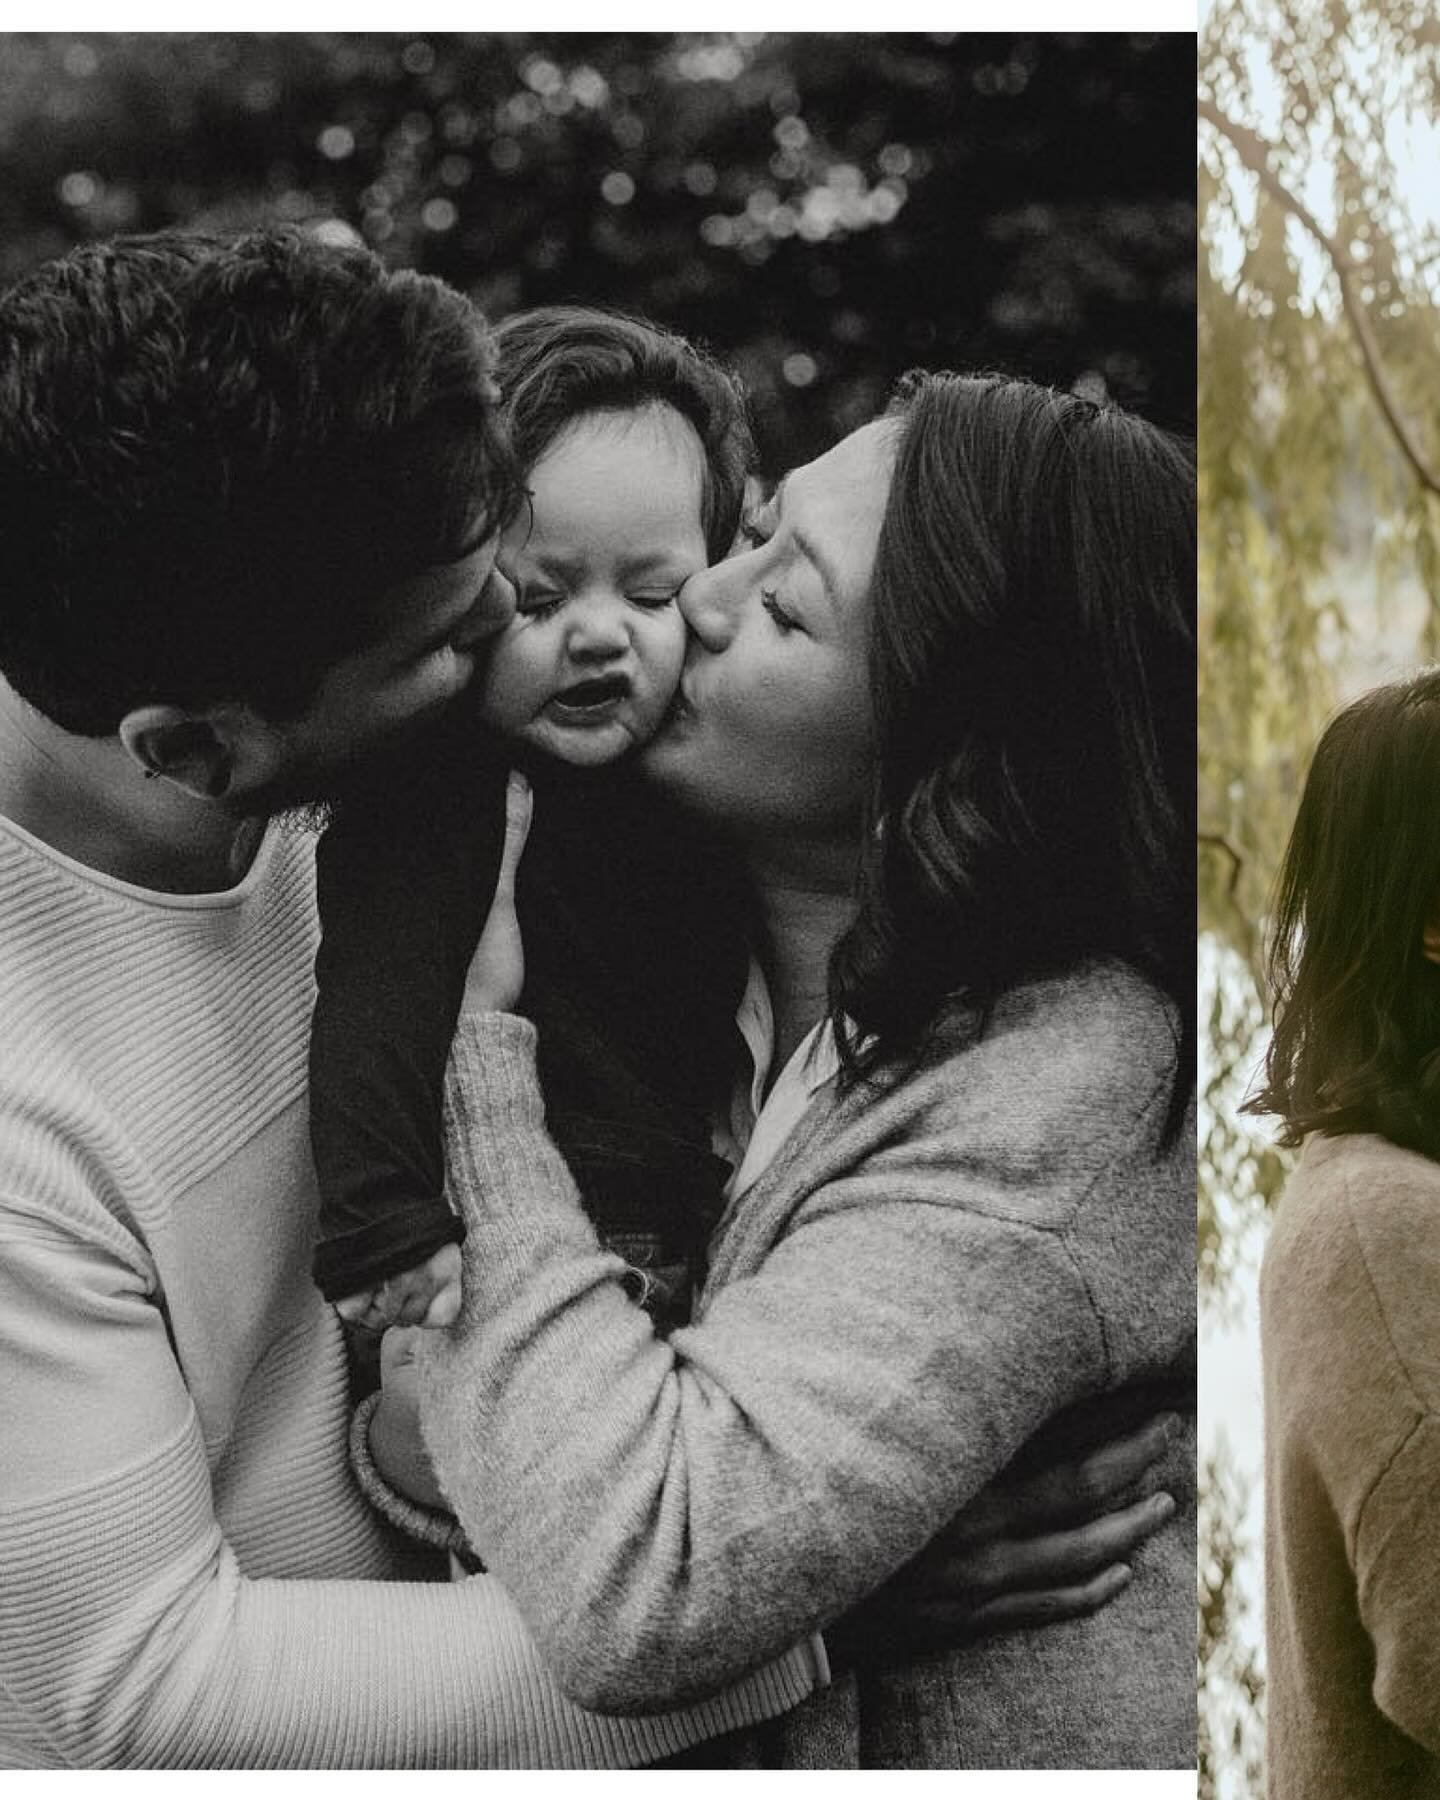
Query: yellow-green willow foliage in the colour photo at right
(1320, 442)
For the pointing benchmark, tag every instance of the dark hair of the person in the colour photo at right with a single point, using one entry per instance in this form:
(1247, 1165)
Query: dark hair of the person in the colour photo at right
(1356, 1038)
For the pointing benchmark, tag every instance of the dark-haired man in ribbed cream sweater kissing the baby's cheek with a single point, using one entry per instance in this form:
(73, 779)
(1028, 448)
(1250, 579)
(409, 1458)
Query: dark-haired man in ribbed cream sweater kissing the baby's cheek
(249, 498)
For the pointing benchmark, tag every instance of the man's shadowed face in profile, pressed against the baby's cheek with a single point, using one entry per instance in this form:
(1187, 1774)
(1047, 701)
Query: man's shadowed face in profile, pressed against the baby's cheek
(424, 656)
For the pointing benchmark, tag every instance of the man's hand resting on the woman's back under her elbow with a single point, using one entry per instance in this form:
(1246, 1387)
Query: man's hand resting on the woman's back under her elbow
(1018, 1558)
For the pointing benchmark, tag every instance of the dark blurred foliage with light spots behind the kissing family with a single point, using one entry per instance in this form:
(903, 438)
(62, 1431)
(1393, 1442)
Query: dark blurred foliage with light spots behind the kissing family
(827, 210)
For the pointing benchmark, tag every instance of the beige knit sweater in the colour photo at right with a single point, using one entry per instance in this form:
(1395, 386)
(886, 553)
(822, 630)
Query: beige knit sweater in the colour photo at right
(1351, 1336)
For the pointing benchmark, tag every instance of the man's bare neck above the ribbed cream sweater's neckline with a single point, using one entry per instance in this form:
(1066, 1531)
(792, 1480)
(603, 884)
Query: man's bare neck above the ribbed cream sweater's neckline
(91, 800)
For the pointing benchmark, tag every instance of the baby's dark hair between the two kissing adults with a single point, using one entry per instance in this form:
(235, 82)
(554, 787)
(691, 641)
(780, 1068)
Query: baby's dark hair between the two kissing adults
(562, 363)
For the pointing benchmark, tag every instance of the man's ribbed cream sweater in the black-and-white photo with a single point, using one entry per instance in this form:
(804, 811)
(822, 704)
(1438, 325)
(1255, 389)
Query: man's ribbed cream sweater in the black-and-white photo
(188, 1576)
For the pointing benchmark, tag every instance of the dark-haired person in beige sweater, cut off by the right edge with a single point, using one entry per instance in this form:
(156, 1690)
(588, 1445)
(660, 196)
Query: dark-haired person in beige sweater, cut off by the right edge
(1353, 1266)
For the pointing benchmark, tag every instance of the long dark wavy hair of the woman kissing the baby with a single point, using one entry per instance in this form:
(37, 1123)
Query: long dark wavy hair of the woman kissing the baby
(1034, 669)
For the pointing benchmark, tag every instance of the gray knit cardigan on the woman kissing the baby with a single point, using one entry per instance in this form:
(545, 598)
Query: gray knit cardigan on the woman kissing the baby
(989, 1261)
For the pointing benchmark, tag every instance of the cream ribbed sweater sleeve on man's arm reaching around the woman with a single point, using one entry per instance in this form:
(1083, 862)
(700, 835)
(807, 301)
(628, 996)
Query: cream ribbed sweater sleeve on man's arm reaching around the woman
(130, 1635)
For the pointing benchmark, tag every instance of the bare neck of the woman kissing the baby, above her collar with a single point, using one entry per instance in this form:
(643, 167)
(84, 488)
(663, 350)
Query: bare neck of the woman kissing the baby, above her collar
(807, 903)
